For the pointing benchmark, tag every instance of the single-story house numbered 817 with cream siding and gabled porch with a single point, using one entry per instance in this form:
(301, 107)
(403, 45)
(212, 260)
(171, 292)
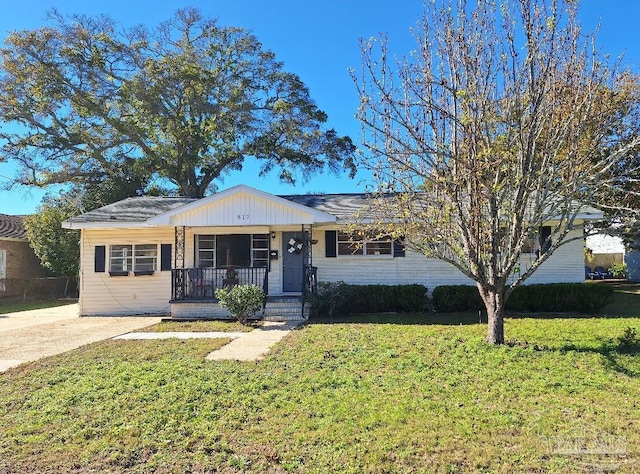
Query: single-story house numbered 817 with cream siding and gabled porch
(168, 254)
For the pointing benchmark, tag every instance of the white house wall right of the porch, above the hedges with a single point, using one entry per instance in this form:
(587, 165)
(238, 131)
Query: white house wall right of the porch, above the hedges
(565, 265)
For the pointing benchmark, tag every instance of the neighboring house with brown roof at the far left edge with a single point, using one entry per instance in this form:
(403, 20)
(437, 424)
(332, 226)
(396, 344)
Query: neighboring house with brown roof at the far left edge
(17, 260)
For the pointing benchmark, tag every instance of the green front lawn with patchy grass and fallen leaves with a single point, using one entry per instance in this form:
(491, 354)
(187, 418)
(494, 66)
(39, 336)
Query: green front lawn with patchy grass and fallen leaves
(384, 393)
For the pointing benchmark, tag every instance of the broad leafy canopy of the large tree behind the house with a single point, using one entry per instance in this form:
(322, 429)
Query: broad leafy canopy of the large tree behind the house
(186, 102)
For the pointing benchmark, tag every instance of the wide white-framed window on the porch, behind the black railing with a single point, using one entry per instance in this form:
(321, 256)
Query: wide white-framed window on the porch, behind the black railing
(232, 250)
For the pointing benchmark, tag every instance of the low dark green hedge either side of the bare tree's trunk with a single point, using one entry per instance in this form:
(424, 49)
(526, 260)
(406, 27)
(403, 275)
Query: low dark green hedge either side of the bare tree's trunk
(550, 298)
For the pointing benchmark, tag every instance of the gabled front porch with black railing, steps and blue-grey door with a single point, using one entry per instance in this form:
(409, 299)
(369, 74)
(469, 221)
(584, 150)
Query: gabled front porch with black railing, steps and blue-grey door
(242, 237)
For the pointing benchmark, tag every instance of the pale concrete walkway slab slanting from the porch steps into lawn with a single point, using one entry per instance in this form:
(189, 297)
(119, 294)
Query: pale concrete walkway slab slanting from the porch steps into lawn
(256, 344)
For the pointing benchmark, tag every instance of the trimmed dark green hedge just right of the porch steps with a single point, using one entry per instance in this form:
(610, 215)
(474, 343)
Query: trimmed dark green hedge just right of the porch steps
(339, 298)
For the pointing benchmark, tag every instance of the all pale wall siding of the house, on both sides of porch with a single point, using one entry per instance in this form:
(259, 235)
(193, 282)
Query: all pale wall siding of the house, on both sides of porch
(102, 294)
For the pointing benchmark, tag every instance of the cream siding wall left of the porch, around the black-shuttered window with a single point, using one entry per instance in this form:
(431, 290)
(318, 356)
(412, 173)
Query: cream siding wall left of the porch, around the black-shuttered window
(102, 294)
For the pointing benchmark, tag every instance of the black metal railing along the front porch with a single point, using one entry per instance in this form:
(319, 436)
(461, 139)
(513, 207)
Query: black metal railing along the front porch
(201, 283)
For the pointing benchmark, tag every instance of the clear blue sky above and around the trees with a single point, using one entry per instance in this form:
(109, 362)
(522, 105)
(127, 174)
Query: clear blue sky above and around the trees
(318, 40)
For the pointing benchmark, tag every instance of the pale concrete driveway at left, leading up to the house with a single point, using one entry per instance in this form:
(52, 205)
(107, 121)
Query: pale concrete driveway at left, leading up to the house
(31, 335)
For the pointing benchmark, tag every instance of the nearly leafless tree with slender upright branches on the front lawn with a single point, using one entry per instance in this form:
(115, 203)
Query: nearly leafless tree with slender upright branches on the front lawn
(495, 125)
